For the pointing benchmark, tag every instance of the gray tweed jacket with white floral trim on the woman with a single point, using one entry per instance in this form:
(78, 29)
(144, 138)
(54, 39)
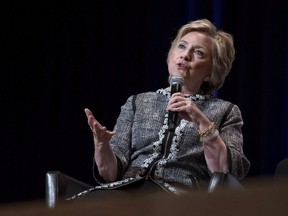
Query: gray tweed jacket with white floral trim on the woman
(145, 150)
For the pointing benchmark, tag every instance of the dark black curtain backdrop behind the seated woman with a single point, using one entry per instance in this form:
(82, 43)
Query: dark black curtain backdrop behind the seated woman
(59, 57)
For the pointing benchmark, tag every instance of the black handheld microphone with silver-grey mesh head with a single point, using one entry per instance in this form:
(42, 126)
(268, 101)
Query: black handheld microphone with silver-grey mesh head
(176, 83)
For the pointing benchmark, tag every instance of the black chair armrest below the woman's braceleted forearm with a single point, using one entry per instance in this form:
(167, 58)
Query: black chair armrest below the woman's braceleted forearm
(223, 180)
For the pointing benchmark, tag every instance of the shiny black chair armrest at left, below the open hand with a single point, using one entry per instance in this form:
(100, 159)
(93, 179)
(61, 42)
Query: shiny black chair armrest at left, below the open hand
(61, 186)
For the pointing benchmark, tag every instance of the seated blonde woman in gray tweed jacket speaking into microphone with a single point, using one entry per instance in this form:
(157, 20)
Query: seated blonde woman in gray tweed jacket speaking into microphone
(208, 135)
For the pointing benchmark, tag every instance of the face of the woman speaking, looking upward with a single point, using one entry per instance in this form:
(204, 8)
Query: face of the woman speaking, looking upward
(191, 58)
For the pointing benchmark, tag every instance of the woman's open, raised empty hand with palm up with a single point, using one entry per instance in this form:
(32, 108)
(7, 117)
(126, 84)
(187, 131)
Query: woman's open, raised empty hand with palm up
(101, 135)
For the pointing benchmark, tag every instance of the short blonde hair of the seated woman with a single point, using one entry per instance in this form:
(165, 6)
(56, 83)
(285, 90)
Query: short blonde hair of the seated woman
(223, 53)
